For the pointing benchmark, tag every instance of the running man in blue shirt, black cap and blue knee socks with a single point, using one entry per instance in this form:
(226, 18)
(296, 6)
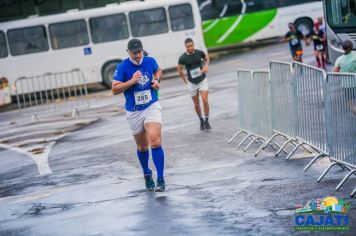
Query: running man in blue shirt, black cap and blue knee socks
(138, 77)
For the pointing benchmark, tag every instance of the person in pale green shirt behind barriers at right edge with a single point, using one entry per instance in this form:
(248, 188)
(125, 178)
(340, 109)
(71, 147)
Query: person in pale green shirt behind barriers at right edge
(347, 63)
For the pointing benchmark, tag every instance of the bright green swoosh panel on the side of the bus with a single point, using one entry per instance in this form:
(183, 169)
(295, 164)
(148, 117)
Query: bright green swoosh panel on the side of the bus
(250, 24)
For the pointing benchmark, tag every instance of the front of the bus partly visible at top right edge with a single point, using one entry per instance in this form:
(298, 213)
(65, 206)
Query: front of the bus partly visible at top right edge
(340, 25)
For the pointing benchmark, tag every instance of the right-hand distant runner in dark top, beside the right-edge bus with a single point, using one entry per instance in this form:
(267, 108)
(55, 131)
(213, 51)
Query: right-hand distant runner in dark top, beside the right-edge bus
(319, 38)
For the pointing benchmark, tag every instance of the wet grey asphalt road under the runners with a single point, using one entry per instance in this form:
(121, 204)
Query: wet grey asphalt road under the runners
(94, 185)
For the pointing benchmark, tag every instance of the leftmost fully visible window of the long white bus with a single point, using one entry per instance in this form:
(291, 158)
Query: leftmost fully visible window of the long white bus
(27, 40)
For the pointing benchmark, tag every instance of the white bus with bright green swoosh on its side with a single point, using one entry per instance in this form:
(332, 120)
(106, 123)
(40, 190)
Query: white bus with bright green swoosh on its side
(232, 22)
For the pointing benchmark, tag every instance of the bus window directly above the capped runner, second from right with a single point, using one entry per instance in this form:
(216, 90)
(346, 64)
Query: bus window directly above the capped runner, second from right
(148, 22)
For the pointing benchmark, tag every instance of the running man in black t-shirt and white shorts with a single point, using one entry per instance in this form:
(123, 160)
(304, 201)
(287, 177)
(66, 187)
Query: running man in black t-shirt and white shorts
(196, 64)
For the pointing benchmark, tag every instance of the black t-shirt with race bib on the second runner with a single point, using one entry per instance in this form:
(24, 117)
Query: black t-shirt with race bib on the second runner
(193, 63)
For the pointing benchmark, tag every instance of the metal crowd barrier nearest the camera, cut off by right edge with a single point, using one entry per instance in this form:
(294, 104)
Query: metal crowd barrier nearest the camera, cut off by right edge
(341, 123)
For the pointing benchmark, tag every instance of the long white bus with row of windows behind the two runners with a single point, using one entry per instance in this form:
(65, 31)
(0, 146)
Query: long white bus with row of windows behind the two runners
(95, 40)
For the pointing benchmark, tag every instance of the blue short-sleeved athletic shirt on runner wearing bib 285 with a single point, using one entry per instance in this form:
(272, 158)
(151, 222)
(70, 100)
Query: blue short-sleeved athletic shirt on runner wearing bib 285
(124, 72)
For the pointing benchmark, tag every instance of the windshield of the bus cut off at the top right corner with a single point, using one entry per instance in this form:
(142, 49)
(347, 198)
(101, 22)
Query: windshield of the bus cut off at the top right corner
(341, 13)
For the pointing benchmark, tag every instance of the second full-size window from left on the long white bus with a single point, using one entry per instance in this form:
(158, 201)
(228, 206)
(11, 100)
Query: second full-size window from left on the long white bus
(68, 34)
